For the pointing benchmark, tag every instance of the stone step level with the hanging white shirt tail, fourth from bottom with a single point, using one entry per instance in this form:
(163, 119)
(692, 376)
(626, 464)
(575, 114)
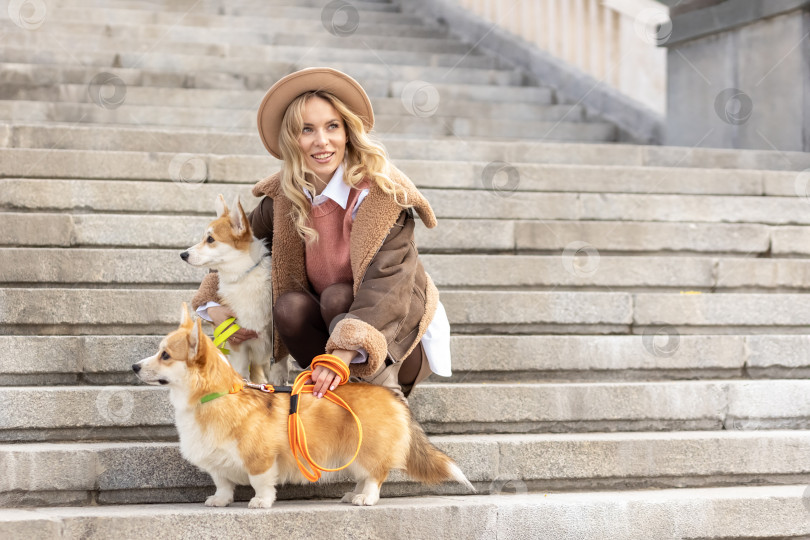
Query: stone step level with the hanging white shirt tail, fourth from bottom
(660, 353)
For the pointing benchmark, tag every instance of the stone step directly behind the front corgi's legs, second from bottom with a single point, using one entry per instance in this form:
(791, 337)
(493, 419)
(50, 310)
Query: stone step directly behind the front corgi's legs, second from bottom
(154, 472)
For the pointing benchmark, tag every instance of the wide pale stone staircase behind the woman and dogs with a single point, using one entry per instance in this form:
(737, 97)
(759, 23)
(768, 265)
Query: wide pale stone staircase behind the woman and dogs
(630, 341)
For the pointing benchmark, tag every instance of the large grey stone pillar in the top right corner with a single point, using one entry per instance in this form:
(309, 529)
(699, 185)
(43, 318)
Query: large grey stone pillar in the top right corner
(737, 74)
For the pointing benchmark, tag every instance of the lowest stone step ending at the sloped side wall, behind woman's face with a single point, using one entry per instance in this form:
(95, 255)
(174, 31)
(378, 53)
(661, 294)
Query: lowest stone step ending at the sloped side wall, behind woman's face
(553, 123)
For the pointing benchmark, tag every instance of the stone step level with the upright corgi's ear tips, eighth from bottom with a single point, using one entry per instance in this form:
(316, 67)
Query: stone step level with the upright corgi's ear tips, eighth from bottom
(179, 197)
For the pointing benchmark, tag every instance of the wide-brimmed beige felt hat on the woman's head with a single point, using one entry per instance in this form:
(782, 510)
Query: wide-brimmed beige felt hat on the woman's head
(278, 98)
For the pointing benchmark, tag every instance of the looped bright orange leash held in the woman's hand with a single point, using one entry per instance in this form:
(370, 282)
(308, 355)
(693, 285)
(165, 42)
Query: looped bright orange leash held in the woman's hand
(295, 427)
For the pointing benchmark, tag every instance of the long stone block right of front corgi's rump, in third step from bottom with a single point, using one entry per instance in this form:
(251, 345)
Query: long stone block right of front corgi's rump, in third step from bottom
(592, 407)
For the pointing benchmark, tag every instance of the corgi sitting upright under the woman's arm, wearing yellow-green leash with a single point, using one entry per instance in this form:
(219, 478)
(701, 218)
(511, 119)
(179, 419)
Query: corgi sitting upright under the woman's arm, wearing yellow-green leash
(241, 260)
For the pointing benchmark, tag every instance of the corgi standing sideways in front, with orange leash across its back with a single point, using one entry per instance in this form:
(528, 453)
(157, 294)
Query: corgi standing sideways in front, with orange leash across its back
(242, 437)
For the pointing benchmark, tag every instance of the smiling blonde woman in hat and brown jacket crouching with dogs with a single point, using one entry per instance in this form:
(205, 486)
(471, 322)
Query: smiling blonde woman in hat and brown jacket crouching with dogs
(338, 219)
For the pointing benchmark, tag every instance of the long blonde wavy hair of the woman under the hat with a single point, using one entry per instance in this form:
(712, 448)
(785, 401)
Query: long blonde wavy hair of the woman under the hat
(365, 159)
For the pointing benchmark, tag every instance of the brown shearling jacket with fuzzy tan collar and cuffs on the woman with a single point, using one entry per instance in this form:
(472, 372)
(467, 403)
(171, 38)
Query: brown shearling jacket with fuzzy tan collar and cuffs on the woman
(394, 298)
